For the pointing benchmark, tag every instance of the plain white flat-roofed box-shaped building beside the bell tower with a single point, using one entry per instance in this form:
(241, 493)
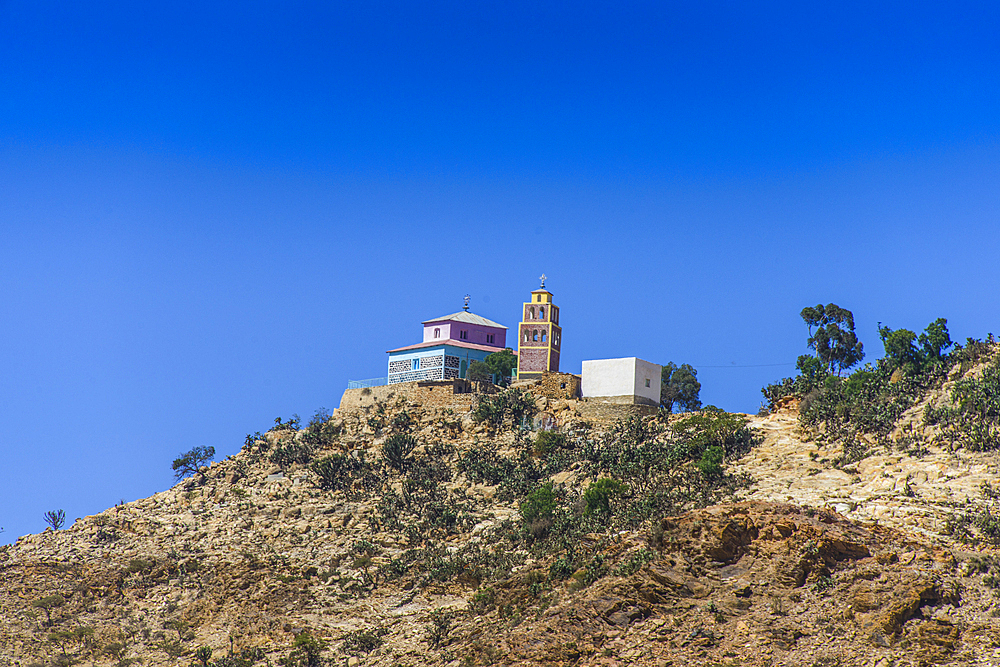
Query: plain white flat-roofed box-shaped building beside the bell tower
(628, 381)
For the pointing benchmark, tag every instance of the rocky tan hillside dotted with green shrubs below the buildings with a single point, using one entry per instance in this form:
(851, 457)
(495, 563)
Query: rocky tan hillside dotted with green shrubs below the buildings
(407, 534)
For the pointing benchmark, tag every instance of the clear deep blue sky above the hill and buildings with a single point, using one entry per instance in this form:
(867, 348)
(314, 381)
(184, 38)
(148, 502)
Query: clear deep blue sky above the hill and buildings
(213, 214)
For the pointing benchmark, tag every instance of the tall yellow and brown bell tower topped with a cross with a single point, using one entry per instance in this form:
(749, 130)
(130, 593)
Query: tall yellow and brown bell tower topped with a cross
(539, 336)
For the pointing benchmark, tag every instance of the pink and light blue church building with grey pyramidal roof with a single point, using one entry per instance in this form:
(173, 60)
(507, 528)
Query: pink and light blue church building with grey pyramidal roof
(450, 344)
